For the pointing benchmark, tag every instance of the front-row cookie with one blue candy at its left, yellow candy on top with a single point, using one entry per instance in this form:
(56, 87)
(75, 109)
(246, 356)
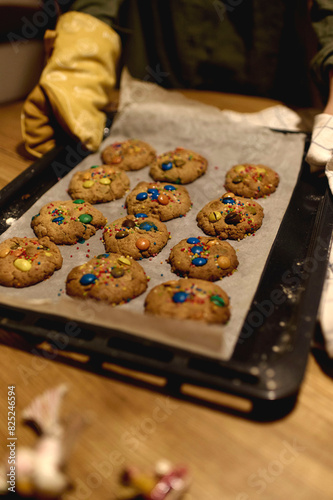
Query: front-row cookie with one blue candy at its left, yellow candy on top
(109, 277)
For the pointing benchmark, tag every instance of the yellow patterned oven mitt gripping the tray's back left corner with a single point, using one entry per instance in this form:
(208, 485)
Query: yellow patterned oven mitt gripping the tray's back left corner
(74, 86)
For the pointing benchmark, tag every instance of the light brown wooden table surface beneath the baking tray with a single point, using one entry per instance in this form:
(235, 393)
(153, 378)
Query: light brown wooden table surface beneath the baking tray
(132, 421)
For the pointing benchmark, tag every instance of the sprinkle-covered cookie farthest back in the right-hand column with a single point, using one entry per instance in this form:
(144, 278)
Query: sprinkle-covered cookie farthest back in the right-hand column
(251, 181)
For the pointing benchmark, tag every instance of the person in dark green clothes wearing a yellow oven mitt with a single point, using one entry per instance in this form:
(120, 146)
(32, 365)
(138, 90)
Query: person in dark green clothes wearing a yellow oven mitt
(281, 50)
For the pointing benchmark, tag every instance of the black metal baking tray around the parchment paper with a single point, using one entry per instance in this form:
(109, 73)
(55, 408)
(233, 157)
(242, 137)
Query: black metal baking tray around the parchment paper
(269, 360)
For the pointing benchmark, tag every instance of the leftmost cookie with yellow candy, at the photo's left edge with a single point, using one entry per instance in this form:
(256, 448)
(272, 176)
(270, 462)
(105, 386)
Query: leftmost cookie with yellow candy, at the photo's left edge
(27, 261)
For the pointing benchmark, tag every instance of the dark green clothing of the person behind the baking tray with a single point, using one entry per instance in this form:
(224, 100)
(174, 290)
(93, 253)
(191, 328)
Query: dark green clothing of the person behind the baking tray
(253, 47)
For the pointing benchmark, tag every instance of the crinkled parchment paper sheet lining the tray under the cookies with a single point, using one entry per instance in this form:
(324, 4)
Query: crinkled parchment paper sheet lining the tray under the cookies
(166, 119)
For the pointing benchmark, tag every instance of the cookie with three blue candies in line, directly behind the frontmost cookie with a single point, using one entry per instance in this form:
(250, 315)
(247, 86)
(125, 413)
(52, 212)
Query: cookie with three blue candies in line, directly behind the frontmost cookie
(203, 258)
